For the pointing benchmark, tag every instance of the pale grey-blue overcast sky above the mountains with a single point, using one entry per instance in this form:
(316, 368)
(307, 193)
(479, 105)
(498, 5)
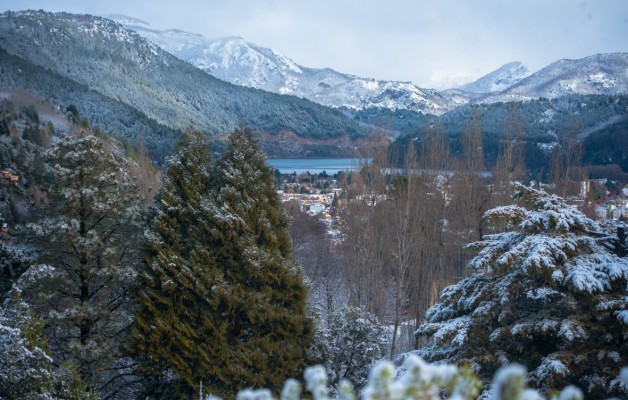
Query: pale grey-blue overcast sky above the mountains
(433, 43)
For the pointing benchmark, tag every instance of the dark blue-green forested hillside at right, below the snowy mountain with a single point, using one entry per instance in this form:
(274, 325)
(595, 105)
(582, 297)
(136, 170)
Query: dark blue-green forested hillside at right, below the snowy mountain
(598, 121)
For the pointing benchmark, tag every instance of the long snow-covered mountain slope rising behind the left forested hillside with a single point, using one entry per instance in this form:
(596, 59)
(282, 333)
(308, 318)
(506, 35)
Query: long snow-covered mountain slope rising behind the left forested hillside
(235, 60)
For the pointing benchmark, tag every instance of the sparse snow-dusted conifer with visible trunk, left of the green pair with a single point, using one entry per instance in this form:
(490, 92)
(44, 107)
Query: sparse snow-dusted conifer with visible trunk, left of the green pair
(84, 277)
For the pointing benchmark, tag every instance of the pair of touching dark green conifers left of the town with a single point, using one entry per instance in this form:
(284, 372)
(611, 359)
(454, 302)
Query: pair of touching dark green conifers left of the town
(225, 303)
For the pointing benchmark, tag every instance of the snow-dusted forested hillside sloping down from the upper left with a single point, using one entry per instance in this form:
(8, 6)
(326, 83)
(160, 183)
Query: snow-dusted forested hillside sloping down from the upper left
(102, 56)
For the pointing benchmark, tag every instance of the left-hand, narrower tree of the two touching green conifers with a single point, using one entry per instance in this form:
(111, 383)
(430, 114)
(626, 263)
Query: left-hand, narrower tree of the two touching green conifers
(173, 323)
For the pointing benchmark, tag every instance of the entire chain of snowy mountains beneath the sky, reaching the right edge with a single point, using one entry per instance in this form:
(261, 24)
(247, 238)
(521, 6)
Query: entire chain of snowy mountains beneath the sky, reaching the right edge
(238, 61)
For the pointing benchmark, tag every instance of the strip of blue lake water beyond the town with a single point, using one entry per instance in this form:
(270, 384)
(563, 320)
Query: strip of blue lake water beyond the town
(314, 165)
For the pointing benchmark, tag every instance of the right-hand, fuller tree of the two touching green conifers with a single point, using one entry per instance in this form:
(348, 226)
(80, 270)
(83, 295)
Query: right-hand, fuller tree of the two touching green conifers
(262, 298)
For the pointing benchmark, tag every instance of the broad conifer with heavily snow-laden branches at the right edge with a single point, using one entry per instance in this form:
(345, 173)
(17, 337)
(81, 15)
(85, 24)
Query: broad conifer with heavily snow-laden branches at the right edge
(547, 294)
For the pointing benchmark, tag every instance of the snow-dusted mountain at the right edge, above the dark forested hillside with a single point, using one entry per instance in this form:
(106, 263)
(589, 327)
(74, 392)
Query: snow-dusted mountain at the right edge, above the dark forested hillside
(605, 74)
